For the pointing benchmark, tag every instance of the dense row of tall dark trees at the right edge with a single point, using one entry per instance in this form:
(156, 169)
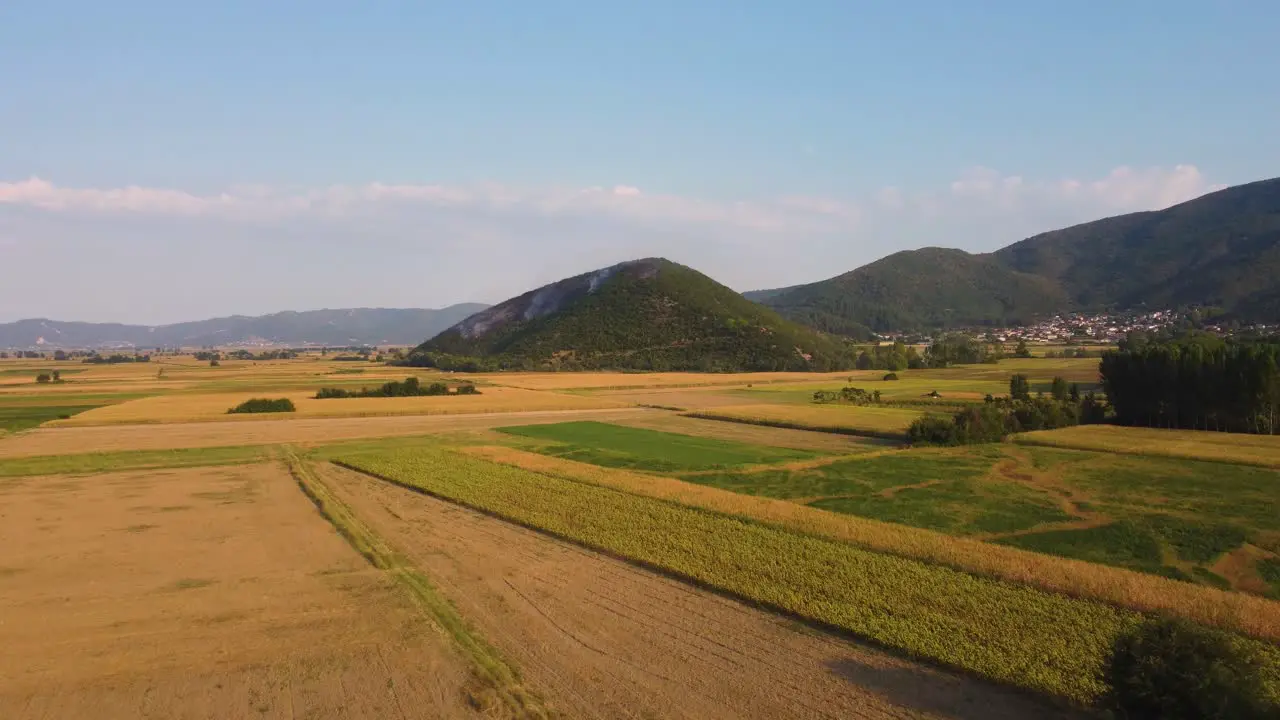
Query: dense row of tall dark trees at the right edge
(1196, 384)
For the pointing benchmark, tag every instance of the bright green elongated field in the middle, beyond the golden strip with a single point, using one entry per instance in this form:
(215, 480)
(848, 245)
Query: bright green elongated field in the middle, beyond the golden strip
(618, 446)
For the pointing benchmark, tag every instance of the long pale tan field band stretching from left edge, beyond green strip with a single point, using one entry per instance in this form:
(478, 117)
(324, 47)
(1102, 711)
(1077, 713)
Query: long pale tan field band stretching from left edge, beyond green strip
(107, 439)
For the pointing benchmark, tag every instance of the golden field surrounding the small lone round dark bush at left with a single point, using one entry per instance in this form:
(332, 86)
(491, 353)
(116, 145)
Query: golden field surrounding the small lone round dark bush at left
(213, 408)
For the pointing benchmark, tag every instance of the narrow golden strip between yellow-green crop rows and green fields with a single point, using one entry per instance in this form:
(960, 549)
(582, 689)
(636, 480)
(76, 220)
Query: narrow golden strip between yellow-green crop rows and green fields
(1113, 586)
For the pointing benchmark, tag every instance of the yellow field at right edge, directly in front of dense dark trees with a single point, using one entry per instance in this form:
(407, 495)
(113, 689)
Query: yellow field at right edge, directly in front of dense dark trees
(1194, 445)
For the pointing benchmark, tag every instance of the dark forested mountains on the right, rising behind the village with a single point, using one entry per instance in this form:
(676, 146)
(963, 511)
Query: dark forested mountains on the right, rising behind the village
(1219, 250)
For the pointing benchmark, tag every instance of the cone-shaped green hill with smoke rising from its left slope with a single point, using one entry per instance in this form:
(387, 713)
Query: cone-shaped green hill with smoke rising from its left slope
(646, 315)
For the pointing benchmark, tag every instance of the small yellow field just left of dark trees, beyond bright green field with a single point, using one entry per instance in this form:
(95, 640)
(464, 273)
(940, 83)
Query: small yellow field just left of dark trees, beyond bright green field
(877, 422)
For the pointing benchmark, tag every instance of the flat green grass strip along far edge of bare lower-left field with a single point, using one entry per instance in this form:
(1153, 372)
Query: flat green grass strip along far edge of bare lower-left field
(89, 463)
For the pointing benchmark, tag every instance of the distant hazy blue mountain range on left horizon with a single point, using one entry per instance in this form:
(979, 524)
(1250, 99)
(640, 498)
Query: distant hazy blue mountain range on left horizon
(359, 326)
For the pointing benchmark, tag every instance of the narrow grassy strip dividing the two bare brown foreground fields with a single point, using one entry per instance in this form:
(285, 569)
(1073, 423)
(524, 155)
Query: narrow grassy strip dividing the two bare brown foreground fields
(497, 682)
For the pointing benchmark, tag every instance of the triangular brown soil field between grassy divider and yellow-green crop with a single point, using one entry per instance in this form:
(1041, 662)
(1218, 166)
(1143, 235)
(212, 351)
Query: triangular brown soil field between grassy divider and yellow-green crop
(602, 639)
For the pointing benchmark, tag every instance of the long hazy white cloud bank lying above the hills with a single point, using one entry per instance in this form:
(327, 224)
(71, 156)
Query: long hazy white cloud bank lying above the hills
(424, 245)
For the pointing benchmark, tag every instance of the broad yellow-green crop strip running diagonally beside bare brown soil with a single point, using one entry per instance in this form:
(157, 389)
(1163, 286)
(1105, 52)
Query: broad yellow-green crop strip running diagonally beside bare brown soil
(1009, 634)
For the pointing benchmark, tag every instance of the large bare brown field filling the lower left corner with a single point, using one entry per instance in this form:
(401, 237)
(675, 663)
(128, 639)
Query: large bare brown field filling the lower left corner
(203, 594)
